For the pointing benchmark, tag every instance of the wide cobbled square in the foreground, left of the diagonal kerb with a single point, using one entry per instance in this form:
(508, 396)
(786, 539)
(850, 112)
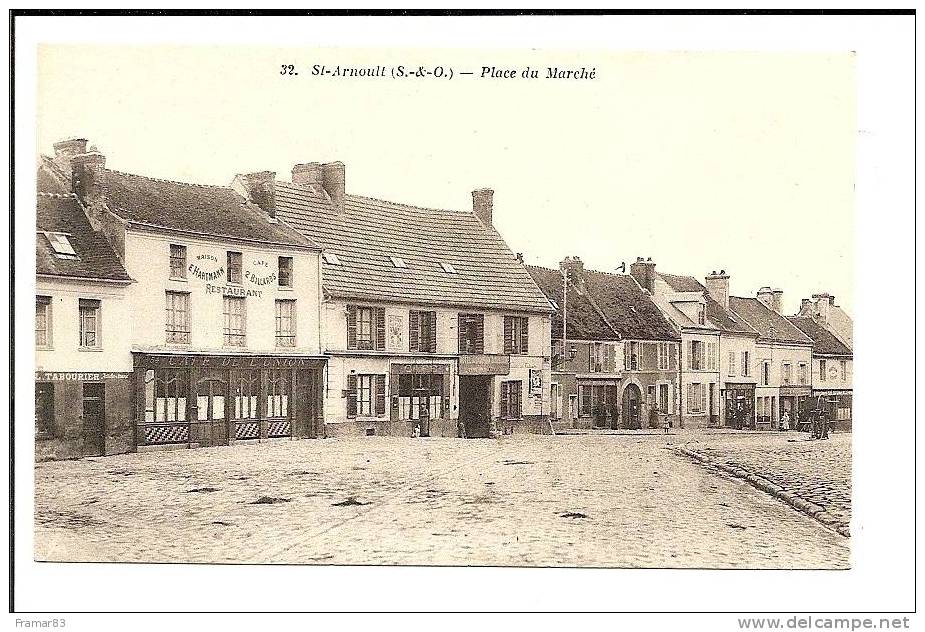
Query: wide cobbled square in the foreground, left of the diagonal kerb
(623, 501)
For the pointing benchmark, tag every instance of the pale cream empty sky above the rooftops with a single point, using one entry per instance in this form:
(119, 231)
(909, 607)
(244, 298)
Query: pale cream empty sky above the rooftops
(701, 161)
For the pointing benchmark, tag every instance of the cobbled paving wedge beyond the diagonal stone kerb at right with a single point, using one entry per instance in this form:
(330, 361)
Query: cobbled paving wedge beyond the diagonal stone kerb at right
(818, 471)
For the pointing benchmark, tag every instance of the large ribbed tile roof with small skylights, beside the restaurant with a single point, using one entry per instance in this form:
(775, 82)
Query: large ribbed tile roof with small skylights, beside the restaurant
(369, 231)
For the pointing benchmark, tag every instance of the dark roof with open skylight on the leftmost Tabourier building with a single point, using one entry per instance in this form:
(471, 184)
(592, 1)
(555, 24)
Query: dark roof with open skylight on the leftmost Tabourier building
(59, 212)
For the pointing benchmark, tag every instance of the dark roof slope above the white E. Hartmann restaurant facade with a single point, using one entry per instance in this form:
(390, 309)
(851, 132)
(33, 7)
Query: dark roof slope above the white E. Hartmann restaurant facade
(205, 209)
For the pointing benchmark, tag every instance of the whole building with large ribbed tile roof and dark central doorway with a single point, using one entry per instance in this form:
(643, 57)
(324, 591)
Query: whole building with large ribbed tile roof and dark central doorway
(432, 325)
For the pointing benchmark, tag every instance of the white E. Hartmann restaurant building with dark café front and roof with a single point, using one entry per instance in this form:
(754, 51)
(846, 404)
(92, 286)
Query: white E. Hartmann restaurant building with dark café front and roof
(223, 318)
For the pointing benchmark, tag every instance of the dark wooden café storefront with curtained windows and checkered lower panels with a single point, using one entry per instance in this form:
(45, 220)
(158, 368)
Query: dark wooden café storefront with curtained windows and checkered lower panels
(200, 400)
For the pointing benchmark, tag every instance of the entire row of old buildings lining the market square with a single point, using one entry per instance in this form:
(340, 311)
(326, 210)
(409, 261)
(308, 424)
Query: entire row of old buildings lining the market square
(181, 315)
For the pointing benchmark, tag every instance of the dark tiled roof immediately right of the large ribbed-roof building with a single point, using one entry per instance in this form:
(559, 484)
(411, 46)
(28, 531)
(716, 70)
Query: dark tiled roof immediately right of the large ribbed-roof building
(625, 310)
